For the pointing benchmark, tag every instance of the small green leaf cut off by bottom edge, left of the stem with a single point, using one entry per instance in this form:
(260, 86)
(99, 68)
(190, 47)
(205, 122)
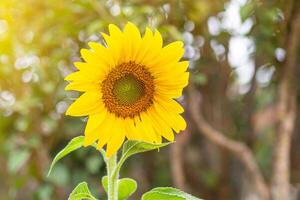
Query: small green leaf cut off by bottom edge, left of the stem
(81, 192)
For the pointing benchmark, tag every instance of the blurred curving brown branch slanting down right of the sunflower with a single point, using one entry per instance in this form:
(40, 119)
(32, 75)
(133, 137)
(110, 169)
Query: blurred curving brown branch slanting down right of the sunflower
(239, 149)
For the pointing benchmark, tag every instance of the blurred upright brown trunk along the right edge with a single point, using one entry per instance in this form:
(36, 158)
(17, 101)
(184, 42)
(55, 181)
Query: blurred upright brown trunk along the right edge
(287, 106)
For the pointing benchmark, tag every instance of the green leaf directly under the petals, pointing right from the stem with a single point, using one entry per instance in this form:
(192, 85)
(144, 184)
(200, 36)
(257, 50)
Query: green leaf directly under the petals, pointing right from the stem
(132, 147)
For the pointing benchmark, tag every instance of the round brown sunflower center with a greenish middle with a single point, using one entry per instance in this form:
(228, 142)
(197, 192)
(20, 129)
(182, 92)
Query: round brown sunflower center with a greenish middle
(128, 90)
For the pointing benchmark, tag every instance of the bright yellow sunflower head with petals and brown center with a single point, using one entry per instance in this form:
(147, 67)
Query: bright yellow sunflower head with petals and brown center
(129, 88)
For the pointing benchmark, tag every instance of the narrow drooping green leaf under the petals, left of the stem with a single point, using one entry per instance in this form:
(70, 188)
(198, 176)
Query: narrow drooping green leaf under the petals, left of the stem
(73, 145)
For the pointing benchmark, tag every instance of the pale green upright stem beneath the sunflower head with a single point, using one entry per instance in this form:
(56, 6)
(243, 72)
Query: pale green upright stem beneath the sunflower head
(112, 178)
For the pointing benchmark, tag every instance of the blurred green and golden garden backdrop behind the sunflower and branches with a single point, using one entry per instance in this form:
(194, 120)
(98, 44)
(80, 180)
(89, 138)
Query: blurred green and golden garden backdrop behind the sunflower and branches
(236, 50)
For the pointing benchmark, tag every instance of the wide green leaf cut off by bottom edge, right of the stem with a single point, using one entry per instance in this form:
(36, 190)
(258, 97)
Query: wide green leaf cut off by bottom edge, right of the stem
(167, 193)
